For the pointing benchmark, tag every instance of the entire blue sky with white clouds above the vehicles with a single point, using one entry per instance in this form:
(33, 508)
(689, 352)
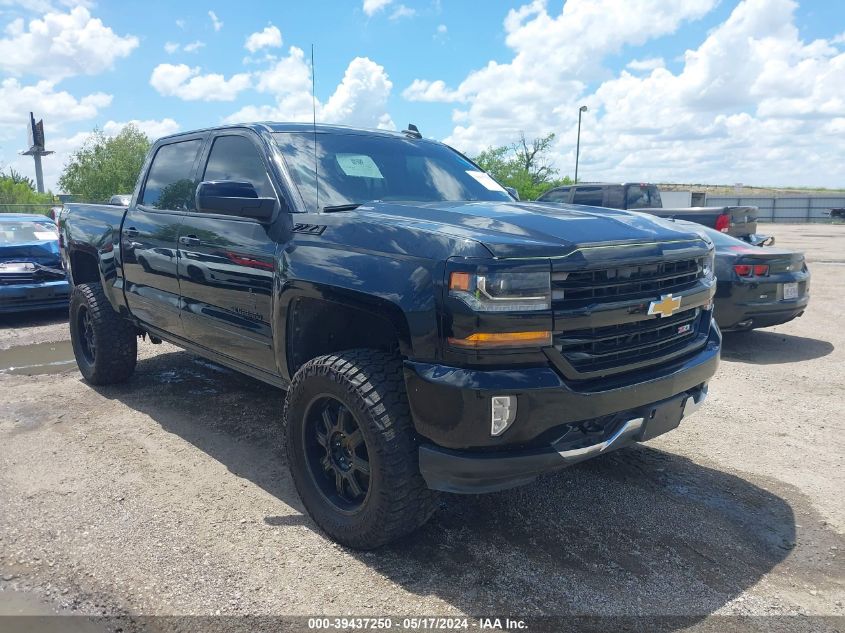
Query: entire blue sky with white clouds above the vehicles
(687, 91)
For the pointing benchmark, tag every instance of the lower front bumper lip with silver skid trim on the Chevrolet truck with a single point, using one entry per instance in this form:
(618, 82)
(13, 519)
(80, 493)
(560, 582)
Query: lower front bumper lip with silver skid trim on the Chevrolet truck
(463, 472)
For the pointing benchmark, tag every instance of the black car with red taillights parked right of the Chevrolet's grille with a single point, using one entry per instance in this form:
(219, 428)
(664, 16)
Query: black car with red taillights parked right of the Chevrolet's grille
(756, 287)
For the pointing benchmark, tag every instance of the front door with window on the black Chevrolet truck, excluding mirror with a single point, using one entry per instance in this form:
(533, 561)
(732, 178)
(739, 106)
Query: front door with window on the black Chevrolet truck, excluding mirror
(226, 262)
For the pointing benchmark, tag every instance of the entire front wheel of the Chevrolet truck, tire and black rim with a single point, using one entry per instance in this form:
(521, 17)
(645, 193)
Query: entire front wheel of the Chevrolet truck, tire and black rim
(352, 451)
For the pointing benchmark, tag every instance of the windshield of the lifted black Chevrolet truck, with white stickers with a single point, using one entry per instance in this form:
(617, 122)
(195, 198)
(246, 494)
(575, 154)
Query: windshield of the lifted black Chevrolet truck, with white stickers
(358, 168)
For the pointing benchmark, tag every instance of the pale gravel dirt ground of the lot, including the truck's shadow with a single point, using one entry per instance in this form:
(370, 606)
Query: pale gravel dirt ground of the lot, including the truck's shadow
(170, 495)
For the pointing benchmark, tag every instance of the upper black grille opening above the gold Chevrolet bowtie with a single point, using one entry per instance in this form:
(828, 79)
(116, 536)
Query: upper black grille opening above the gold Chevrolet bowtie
(584, 287)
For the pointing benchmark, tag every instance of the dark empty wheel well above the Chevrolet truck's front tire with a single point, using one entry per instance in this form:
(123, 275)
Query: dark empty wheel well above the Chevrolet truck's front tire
(317, 327)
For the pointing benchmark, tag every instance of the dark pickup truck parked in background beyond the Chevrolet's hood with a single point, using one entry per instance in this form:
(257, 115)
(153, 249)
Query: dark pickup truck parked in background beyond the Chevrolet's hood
(738, 222)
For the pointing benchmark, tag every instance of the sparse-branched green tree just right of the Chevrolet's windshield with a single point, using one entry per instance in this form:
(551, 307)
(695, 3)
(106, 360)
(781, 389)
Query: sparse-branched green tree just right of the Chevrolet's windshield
(523, 165)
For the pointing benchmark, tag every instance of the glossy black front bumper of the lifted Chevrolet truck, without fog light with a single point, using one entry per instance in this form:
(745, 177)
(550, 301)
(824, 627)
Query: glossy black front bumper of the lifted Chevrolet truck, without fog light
(451, 411)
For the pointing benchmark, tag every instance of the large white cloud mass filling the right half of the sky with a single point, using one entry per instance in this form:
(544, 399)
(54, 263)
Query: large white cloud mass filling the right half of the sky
(751, 102)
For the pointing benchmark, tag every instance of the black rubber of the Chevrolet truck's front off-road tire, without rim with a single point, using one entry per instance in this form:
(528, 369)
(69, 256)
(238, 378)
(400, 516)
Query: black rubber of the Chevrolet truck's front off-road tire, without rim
(369, 383)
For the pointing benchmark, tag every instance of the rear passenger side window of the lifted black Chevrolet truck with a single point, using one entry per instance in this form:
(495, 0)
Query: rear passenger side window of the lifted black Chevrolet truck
(170, 184)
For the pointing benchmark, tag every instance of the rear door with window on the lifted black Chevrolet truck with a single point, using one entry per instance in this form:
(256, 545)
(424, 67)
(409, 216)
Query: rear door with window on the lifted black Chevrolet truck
(149, 232)
